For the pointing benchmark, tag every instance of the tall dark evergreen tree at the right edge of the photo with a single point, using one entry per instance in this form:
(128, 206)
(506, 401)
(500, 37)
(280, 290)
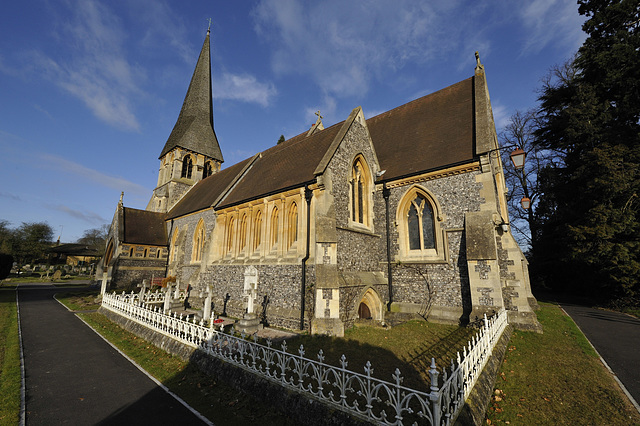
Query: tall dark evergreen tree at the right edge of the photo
(590, 110)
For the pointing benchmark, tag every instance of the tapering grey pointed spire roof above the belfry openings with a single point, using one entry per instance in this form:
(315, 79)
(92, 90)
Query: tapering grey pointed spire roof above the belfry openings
(194, 128)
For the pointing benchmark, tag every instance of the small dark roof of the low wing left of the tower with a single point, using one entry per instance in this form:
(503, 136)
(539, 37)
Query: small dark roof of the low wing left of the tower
(143, 227)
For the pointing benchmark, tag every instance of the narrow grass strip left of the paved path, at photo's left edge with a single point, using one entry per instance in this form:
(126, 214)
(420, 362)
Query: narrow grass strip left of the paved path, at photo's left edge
(10, 376)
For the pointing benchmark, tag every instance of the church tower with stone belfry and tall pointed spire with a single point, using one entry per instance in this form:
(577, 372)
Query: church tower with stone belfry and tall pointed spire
(192, 151)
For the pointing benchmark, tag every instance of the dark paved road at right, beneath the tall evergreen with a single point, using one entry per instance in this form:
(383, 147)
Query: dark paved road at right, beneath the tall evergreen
(616, 337)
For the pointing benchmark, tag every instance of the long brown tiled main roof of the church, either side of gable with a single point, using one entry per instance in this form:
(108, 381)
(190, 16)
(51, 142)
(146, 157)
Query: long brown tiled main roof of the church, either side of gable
(429, 133)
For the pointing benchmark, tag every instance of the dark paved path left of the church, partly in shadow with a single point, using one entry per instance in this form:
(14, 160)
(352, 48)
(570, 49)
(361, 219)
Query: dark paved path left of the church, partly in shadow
(75, 377)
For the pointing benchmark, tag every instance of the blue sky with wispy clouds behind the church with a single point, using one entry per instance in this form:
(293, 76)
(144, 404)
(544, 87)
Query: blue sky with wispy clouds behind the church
(90, 90)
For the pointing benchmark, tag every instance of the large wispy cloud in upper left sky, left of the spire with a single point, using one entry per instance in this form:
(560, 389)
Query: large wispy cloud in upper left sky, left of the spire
(93, 67)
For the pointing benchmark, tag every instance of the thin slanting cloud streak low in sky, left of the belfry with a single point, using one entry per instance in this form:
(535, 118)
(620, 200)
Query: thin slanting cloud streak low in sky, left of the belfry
(54, 162)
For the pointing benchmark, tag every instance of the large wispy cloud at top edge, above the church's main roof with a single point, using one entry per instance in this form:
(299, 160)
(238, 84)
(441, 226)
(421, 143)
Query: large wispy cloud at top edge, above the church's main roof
(343, 45)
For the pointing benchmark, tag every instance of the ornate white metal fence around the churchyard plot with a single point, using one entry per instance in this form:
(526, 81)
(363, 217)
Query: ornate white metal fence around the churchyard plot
(361, 395)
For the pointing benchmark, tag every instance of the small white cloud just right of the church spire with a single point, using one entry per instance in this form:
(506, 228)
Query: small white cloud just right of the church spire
(243, 87)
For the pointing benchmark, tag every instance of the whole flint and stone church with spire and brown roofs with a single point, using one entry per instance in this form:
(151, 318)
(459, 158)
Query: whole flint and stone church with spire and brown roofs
(381, 218)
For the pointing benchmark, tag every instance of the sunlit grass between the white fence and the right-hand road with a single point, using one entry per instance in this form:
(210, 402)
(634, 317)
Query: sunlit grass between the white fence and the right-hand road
(556, 378)
